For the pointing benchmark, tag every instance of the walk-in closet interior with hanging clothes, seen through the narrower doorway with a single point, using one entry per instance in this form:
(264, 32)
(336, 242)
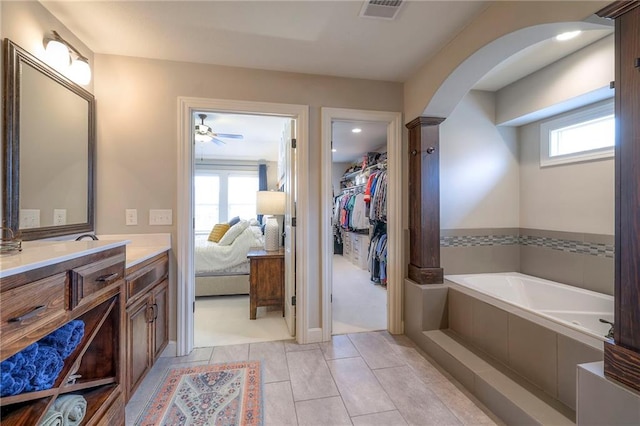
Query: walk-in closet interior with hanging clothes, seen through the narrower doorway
(359, 227)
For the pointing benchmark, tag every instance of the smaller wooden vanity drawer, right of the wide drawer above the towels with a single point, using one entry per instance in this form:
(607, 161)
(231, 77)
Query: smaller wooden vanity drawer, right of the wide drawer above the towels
(92, 278)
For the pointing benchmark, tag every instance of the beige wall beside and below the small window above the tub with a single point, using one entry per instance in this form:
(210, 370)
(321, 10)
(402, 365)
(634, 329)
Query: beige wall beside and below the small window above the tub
(577, 197)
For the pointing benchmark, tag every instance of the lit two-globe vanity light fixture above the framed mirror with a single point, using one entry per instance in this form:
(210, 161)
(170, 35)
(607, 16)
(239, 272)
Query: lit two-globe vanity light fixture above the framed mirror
(60, 54)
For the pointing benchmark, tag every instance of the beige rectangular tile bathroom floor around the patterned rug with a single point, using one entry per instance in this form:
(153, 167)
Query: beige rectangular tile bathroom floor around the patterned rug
(370, 378)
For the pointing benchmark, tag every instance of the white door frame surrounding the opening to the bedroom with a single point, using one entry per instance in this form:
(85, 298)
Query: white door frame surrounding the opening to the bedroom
(298, 260)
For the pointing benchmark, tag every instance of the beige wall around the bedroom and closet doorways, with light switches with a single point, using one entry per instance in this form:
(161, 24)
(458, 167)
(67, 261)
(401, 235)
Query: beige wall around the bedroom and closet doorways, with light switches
(137, 132)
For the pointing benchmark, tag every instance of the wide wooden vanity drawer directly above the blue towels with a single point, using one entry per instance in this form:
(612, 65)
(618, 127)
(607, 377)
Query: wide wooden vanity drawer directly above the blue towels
(31, 307)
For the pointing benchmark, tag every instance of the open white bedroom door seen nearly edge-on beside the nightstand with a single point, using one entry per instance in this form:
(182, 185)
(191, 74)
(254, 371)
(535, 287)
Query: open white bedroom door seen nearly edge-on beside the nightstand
(290, 188)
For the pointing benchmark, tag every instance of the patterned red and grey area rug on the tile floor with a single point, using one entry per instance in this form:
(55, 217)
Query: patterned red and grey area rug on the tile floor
(216, 394)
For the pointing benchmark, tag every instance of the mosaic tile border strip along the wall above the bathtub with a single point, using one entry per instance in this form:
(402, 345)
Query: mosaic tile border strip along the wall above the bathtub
(569, 246)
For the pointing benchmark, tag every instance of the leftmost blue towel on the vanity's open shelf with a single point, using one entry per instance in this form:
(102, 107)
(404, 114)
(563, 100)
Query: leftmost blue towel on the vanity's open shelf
(17, 371)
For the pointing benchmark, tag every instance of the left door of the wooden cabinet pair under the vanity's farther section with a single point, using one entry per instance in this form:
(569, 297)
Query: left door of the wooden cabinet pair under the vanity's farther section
(139, 343)
